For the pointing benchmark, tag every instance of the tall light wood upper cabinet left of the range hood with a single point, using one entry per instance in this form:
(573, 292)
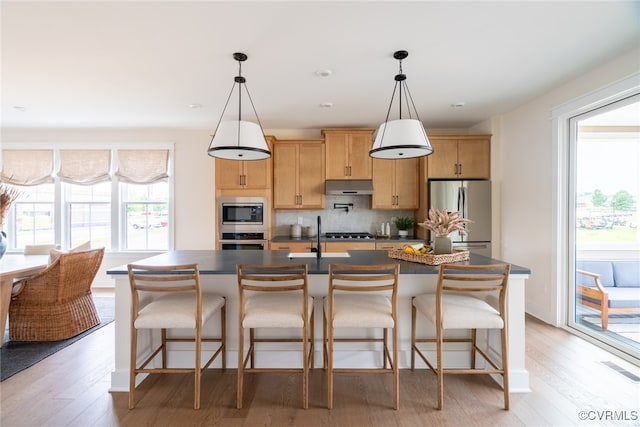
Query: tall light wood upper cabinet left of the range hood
(298, 175)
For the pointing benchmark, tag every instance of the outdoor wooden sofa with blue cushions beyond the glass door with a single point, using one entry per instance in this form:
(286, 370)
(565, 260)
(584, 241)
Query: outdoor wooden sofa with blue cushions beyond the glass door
(609, 286)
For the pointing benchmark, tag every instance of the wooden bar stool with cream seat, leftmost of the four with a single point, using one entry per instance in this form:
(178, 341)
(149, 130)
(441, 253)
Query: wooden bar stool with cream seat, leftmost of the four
(170, 297)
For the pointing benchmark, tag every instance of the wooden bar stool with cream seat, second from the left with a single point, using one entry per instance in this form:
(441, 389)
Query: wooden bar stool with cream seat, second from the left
(274, 296)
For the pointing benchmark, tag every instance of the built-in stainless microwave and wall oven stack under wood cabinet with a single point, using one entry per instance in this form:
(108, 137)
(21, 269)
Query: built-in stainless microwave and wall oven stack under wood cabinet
(242, 223)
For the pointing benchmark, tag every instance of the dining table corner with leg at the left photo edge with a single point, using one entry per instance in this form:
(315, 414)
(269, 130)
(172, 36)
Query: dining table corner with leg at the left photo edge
(14, 267)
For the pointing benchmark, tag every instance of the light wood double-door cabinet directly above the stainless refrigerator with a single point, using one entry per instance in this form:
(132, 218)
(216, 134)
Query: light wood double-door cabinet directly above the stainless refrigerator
(460, 156)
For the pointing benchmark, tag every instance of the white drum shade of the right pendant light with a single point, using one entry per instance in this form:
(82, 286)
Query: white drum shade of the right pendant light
(401, 139)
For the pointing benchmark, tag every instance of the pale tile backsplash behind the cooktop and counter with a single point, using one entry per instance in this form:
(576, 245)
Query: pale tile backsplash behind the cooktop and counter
(360, 218)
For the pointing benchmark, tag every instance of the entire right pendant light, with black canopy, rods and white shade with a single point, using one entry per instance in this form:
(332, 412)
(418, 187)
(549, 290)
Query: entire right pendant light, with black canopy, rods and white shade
(402, 138)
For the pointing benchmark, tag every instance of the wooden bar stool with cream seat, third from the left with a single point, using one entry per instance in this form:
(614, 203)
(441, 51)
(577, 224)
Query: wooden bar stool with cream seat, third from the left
(359, 297)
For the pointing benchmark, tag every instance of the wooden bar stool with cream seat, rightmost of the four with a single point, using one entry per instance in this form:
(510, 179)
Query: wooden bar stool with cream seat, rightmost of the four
(464, 299)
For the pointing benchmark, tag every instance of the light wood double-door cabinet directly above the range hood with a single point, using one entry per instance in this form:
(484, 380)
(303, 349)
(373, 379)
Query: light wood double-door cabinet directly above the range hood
(348, 153)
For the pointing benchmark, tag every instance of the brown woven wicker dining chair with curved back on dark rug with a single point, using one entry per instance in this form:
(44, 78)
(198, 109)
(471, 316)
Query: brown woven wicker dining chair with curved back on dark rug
(56, 303)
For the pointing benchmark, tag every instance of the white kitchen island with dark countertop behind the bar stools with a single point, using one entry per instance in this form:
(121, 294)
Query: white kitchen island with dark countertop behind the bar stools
(218, 274)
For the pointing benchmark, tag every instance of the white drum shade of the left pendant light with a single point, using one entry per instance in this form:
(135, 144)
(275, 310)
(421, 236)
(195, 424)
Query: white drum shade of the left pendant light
(239, 140)
